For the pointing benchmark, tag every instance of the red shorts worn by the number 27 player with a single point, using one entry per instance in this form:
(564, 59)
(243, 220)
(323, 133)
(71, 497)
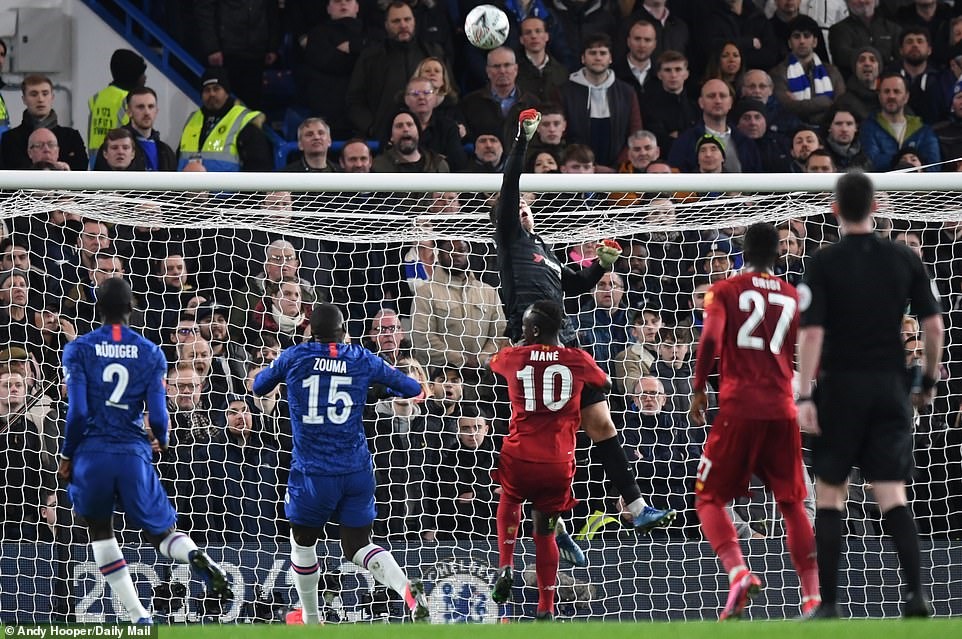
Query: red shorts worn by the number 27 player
(737, 448)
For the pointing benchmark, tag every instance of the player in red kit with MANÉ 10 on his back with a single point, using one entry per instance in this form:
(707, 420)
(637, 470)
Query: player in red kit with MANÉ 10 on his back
(537, 462)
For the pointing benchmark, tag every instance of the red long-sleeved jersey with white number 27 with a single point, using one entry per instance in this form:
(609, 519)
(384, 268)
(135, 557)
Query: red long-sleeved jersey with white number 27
(751, 324)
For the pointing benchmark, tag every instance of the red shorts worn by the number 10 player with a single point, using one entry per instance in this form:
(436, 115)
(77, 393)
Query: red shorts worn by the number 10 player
(546, 486)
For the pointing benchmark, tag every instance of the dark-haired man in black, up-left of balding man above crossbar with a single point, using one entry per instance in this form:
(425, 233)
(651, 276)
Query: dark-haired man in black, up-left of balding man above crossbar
(668, 110)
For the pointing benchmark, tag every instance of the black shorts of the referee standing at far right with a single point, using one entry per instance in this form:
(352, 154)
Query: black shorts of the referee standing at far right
(866, 421)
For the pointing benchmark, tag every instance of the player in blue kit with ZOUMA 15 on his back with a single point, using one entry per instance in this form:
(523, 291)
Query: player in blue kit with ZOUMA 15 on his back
(332, 474)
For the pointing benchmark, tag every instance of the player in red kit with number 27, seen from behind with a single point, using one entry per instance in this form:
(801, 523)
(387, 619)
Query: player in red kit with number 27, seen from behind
(751, 324)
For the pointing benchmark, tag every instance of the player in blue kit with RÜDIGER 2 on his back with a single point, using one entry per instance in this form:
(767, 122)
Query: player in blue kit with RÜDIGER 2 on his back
(112, 374)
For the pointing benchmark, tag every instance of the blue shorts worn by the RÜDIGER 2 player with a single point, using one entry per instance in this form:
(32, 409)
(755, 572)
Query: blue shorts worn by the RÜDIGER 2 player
(102, 480)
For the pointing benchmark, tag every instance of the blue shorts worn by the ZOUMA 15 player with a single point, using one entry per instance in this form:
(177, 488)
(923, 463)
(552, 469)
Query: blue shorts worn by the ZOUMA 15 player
(313, 500)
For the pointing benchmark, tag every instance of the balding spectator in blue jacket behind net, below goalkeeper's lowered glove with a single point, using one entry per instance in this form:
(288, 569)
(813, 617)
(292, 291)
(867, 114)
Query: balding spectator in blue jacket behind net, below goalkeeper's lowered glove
(603, 323)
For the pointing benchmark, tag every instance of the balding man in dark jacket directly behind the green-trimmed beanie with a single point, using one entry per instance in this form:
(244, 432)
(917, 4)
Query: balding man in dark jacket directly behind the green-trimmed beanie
(716, 101)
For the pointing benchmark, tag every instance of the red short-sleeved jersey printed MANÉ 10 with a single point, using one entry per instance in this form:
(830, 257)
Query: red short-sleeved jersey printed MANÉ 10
(545, 384)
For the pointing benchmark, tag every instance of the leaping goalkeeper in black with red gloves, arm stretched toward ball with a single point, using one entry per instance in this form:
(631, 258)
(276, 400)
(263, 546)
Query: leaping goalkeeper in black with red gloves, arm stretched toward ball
(530, 272)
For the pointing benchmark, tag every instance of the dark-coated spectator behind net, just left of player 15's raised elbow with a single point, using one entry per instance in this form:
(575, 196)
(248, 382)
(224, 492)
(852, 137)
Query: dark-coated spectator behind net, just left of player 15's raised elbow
(244, 488)
